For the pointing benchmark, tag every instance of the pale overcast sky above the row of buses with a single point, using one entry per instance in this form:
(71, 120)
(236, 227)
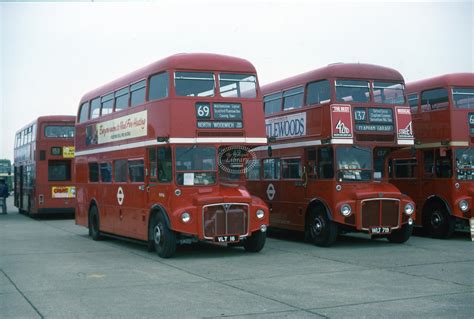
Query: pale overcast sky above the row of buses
(52, 53)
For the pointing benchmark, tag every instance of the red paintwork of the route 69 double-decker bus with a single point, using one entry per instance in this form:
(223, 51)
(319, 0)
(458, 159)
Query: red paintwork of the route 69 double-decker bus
(173, 117)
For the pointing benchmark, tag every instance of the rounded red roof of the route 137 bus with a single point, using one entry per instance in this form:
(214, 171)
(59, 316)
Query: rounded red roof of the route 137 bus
(336, 70)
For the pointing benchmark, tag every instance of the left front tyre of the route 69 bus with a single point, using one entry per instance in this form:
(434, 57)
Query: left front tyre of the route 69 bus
(164, 239)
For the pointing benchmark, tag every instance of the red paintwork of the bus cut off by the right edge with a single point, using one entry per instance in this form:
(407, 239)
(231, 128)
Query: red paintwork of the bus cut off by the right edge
(446, 129)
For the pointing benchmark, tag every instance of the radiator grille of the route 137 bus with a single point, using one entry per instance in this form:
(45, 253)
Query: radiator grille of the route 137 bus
(383, 212)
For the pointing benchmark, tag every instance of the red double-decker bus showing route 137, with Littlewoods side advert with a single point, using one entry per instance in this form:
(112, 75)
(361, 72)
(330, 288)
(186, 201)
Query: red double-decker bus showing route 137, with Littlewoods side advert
(331, 131)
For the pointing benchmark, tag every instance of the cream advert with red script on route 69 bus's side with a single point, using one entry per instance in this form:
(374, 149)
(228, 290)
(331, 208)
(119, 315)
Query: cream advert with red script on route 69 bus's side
(129, 126)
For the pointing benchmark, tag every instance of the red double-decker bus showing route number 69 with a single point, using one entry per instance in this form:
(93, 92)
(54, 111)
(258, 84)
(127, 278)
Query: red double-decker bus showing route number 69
(158, 154)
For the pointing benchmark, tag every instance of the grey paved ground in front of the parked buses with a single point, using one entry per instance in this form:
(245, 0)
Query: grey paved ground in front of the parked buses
(50, 268)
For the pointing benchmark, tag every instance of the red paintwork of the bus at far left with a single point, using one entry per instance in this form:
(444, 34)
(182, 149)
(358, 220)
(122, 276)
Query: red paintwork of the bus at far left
(28, 199)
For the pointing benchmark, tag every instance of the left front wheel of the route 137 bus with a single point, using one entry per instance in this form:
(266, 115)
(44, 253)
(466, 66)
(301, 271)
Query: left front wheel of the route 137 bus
(321, 230)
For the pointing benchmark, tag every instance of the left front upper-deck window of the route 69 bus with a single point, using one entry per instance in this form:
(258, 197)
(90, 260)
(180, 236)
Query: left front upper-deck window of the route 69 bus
(194, 83)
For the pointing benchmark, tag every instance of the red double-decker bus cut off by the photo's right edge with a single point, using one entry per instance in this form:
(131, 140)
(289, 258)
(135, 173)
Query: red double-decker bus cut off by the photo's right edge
(438, 173)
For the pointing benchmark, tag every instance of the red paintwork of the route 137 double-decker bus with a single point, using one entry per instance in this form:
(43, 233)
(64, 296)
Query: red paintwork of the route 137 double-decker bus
(293, 200)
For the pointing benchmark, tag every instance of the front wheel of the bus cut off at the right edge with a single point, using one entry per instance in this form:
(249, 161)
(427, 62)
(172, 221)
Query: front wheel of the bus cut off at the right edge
(437, 222)
